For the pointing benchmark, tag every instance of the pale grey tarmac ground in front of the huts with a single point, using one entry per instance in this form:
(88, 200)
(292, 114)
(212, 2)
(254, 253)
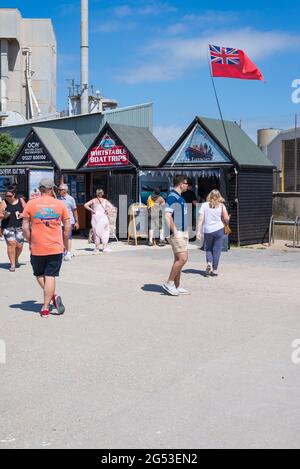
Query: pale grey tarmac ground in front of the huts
(129, 367)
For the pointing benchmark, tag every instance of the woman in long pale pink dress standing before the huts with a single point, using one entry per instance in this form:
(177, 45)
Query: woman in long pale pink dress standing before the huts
(100, 208)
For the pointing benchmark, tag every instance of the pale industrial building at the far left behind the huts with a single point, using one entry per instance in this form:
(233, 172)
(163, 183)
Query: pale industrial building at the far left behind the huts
(27, 68)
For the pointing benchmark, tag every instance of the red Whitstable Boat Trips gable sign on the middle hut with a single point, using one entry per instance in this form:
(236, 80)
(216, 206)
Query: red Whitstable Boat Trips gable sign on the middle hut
(107, 153)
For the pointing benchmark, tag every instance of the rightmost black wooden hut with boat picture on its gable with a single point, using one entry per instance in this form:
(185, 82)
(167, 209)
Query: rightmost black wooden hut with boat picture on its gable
(240, 170)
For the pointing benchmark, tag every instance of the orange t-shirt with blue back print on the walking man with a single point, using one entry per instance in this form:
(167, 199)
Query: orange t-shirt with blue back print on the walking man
(46, 216)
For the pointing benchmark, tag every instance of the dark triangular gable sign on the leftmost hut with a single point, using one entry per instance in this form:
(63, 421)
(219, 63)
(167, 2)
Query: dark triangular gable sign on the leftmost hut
(34, 153)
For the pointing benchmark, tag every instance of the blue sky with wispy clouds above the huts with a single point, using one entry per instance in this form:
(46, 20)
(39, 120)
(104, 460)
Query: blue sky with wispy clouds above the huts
(143, 51)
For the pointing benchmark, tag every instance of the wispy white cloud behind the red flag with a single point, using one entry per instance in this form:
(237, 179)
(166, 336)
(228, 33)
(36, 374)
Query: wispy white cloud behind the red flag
(169, 59)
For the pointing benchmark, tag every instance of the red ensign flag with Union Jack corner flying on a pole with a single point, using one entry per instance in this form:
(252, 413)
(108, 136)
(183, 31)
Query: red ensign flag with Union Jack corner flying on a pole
(233, 63)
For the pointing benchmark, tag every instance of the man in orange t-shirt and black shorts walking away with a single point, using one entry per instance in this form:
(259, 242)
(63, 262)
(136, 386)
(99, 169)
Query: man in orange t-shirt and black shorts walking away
(42, 225)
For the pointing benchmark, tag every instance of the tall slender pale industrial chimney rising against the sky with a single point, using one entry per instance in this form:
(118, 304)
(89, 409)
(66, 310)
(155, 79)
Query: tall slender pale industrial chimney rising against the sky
(84, 45)
